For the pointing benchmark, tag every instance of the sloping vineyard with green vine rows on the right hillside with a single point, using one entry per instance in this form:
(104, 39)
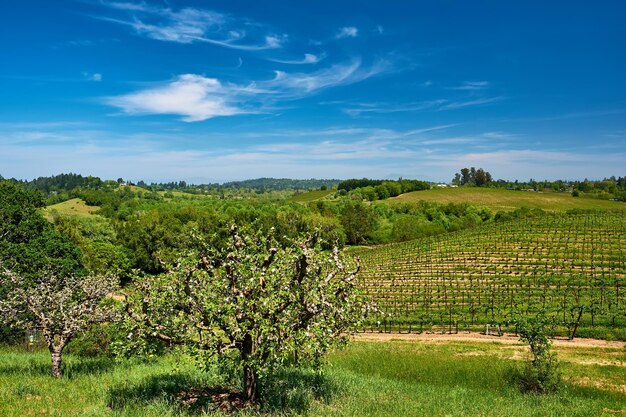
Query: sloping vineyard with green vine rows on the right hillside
(571, 267)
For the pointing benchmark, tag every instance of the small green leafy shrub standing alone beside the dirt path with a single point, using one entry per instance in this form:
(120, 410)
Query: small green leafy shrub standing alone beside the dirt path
(541, 374)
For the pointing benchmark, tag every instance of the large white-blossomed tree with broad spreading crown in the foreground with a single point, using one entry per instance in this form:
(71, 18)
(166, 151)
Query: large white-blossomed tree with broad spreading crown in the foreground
(252, 302)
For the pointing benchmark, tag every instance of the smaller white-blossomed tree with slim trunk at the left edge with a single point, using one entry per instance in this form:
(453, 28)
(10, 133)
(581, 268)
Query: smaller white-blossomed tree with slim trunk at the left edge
(58, 306)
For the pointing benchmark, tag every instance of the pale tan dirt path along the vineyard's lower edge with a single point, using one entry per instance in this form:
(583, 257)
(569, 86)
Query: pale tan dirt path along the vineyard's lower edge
(478, 337)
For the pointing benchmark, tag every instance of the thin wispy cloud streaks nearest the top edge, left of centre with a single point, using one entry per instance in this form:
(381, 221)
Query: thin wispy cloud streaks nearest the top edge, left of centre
(190, 25)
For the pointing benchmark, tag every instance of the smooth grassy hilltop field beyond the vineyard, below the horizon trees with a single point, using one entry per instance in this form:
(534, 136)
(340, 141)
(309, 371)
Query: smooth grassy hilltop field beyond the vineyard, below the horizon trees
(507, 200)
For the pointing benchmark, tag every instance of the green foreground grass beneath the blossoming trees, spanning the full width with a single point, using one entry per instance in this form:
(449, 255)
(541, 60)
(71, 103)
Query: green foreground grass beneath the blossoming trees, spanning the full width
(367, 379)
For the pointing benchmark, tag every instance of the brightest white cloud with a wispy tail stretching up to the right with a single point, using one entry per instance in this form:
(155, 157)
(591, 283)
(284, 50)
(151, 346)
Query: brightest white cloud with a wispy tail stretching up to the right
(196, 98)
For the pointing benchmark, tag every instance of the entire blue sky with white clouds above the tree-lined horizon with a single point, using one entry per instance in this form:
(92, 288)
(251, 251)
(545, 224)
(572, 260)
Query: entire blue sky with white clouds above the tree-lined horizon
(215, 91)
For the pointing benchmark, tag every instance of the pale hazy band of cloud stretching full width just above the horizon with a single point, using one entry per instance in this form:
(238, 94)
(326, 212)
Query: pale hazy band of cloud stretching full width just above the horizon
(336, 152)
